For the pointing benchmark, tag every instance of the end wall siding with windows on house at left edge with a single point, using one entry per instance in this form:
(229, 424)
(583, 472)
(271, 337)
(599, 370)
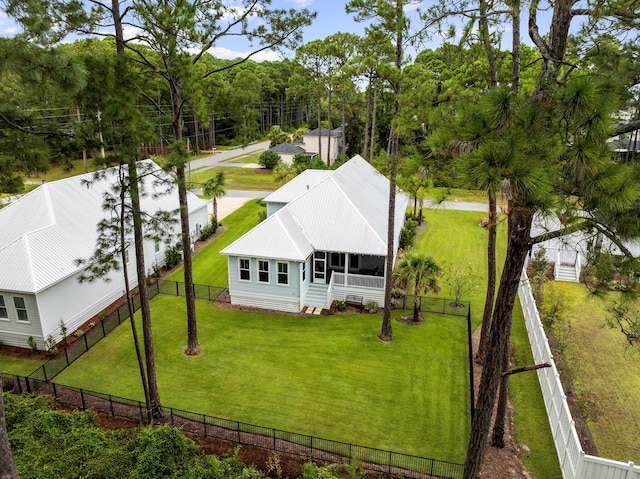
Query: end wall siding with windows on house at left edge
(16, 333)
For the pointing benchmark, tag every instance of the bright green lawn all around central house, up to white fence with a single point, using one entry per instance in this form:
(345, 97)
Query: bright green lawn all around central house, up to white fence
(329, 376)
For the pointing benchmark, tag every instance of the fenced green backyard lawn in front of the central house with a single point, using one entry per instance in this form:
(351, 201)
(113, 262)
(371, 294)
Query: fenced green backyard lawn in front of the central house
(328, 376)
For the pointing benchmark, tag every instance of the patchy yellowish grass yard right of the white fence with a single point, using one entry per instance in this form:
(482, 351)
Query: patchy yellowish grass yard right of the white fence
(603, 364)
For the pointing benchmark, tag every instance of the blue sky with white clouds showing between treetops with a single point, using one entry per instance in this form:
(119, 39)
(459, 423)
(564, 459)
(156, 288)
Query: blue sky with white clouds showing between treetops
(331, 18)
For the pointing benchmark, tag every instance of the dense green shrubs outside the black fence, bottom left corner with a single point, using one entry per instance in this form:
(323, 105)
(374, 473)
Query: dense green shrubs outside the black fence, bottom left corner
(48, 443)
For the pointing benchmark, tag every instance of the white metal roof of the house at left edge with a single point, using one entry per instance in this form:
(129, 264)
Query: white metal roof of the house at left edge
(46, 230)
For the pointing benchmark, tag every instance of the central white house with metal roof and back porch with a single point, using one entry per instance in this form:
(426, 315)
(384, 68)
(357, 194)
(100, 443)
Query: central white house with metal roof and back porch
(325, 237)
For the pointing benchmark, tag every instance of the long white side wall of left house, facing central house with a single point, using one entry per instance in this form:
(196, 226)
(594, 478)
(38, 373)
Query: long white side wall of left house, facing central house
(75, 303)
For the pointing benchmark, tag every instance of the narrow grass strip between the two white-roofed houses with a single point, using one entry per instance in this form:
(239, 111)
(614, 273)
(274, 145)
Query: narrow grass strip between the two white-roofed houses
(209, 266)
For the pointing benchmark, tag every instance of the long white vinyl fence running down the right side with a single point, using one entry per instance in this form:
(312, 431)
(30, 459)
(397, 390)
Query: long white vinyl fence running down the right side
(575, 464)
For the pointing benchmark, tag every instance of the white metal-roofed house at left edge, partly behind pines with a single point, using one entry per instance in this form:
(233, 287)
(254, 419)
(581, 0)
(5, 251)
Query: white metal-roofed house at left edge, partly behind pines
(43, 233)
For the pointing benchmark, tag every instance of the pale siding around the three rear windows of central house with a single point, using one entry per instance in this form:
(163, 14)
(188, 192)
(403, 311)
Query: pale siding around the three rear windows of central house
(262, 295)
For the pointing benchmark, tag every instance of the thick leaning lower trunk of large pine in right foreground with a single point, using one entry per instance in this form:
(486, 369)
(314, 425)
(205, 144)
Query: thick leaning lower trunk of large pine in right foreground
(520, 220)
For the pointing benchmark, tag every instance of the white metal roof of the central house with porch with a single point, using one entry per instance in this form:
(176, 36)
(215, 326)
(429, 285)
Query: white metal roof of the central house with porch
(346, 212)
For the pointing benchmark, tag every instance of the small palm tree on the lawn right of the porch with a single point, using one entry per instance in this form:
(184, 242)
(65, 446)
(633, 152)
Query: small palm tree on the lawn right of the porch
(421, 271)
